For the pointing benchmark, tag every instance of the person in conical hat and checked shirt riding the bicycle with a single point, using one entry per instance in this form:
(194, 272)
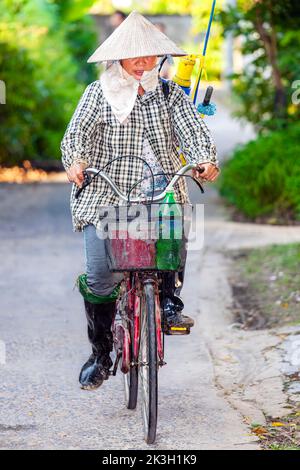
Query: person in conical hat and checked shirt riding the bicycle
(126, 112)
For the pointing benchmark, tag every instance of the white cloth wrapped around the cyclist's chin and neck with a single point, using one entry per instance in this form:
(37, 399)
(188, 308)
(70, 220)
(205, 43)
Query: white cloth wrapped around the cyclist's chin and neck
(120, 89)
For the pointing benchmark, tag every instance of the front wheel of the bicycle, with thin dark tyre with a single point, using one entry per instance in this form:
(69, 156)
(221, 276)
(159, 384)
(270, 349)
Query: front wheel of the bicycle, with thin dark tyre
(148, 364)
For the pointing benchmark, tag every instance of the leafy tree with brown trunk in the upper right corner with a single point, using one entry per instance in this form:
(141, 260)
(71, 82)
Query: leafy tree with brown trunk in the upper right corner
(270, 44)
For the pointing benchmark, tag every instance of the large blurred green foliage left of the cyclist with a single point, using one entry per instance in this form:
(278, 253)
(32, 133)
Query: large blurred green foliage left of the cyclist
(43, 63)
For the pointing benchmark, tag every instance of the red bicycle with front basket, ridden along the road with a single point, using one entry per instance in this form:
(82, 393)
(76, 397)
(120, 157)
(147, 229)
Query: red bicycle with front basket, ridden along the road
(139, 325)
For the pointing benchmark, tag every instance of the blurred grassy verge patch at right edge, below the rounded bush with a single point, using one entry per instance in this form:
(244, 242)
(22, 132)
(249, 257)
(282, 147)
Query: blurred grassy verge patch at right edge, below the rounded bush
(266, 285)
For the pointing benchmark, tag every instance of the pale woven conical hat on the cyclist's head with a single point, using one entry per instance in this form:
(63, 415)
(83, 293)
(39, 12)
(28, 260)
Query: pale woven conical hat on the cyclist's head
(135, 37)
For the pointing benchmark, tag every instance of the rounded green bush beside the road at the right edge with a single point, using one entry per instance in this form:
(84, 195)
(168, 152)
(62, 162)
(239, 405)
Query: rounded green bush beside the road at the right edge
(263, 177)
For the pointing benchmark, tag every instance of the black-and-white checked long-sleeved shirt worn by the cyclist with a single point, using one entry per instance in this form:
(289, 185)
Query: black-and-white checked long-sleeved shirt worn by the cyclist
(94, 136)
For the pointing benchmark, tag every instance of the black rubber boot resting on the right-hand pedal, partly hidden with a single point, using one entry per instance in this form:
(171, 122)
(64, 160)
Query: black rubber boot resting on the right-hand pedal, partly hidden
(172, 304)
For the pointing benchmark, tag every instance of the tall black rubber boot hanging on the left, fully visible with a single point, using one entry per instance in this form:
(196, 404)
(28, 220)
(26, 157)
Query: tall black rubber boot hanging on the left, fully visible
(96, 369)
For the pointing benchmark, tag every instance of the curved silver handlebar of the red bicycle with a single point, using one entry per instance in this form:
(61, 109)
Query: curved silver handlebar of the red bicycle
(94, 171)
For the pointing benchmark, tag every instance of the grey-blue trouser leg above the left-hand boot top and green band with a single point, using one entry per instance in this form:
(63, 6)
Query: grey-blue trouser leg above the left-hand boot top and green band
(99, 279)
